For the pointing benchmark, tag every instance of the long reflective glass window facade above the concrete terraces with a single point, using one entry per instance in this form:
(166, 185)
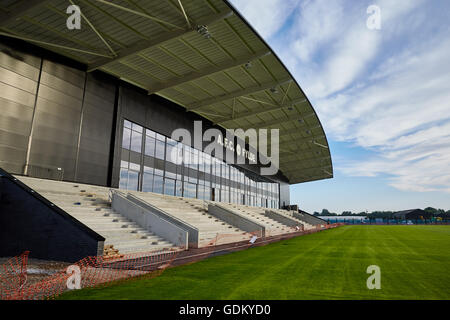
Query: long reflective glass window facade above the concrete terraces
(151, 162)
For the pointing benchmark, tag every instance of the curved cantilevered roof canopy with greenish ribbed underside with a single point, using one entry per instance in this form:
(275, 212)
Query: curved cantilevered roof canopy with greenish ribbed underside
(201, 54)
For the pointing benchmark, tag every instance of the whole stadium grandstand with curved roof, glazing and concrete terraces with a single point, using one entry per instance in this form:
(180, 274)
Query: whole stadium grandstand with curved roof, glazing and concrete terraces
(87, 120)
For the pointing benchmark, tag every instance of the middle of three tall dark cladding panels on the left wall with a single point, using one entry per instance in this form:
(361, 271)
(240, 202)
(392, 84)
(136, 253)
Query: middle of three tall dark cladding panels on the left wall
(57, 118)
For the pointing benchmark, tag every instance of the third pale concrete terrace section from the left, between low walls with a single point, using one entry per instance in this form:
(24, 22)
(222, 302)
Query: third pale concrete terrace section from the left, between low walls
(257, 214)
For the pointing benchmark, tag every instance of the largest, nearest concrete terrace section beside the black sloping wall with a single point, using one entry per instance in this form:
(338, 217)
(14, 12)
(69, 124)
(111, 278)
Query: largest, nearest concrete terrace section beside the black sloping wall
(91, 206)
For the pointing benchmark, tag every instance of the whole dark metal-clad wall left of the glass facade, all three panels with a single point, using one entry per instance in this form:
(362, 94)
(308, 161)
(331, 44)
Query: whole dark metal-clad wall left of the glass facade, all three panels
(70, 120)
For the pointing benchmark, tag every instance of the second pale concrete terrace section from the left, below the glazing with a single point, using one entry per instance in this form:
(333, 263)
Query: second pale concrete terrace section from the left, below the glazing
(195, 212)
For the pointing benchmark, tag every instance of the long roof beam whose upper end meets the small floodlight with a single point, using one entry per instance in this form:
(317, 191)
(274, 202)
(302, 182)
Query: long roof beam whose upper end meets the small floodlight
(168, 36)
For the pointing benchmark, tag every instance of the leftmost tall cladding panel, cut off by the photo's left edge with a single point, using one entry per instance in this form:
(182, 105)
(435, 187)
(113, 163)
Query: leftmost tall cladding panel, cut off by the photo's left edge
(19, 74)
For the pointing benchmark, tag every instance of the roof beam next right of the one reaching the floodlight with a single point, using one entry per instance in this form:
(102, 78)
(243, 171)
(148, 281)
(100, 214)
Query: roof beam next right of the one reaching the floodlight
(208, 71)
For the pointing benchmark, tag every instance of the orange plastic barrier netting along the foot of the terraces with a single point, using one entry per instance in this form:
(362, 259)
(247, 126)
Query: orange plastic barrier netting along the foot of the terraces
(99, 270)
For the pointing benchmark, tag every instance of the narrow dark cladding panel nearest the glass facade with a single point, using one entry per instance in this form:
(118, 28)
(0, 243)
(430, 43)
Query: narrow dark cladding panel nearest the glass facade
(95, 139)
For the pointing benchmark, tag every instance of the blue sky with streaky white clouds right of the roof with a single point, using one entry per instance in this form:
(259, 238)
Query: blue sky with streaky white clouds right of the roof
(382, 95)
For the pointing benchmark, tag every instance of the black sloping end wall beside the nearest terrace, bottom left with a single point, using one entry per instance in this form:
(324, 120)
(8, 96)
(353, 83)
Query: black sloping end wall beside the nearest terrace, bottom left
(27, 223)
